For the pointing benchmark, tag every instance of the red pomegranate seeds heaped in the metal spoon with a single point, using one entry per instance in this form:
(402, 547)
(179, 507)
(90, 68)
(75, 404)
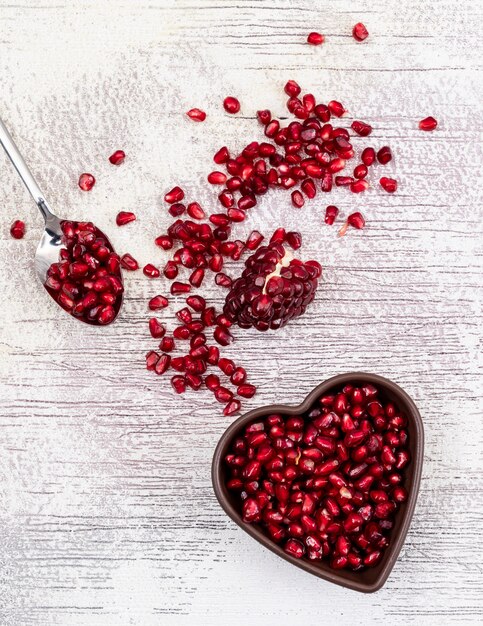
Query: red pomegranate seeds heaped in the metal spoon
(87, 280)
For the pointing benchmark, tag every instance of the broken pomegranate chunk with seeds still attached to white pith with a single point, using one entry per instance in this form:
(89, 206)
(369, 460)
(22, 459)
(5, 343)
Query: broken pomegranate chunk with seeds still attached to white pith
(273, 289)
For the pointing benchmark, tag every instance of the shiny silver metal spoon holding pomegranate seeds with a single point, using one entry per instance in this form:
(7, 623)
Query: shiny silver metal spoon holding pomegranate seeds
(51, 240)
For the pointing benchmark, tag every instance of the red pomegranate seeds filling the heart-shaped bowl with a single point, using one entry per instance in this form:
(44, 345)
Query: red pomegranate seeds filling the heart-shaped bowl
(327, 484)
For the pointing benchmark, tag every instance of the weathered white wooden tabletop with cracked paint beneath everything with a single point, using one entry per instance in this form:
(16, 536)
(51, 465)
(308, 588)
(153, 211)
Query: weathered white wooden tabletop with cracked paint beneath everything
(106, 507)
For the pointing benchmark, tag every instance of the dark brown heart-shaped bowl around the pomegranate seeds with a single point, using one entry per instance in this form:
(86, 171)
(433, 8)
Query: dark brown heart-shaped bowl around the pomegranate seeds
(367, 580)
